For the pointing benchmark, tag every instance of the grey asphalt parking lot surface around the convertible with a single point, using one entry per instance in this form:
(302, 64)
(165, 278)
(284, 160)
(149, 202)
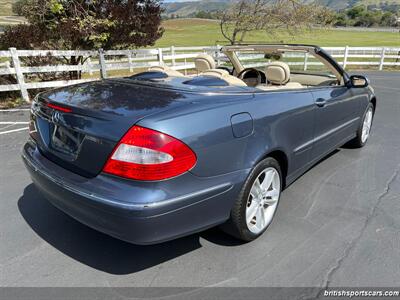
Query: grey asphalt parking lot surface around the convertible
(337, 225)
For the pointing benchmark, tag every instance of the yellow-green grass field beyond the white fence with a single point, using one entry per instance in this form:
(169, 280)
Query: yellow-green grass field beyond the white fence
(197, 32)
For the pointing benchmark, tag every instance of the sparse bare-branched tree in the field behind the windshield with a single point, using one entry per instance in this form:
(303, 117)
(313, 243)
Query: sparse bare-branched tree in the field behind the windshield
(270, 15)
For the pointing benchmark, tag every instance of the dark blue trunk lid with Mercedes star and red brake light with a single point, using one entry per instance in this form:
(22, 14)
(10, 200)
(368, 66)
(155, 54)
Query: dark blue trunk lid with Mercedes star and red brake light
(101, 113)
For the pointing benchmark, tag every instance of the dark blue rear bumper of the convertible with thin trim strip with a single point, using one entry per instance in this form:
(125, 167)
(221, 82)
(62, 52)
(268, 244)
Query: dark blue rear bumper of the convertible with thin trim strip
(137, 212)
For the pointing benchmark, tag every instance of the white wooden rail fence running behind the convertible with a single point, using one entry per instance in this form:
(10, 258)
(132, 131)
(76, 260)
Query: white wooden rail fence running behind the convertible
(99, 63)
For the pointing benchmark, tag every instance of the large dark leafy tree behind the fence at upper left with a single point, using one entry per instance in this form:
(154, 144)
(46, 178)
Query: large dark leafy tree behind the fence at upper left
(83, 25)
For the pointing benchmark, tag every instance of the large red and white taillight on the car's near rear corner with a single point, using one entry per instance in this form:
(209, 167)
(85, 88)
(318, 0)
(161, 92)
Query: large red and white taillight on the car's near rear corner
(146, 154)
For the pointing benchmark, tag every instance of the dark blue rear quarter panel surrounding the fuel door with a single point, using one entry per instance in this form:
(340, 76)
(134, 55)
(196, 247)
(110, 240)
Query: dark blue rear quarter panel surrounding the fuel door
(281, 121)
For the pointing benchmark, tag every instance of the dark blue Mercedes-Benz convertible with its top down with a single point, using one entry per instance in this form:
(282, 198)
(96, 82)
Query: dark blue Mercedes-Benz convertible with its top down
(160, 155)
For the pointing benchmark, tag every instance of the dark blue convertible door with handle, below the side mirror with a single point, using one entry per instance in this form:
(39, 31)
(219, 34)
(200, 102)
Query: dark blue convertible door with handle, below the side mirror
(336, 118)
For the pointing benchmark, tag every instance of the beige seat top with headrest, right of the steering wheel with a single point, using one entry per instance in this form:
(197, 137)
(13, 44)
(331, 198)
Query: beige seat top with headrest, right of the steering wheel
(278, 74)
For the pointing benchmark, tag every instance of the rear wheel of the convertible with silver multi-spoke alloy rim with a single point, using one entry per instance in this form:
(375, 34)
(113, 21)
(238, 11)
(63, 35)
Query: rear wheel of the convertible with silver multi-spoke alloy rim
(257, 202)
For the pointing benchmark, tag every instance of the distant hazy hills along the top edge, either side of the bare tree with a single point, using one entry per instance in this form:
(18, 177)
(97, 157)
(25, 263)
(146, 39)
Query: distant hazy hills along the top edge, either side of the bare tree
(183, 8)
